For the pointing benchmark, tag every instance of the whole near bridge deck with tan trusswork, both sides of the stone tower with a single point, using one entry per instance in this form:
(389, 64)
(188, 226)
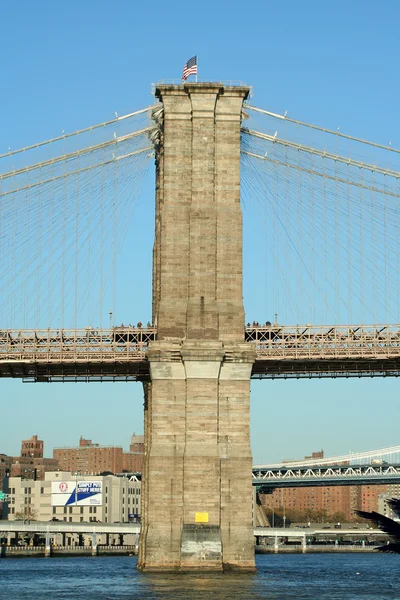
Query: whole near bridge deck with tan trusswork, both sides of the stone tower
(120, 353)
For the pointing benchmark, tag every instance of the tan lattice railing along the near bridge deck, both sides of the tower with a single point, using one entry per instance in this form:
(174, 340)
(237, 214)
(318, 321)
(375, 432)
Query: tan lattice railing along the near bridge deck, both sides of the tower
(130, 343)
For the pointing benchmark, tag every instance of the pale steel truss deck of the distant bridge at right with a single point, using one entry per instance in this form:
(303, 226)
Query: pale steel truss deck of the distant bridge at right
(269, 478)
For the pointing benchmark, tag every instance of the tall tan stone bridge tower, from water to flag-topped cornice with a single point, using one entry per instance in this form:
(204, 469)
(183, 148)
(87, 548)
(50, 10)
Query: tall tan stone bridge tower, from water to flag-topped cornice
(197, 497)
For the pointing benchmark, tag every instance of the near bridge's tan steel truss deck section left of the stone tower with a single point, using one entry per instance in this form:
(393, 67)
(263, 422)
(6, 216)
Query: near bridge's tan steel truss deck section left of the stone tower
(116, 354)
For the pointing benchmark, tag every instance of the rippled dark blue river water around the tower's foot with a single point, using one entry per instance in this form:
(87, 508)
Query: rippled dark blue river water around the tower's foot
(279, 577)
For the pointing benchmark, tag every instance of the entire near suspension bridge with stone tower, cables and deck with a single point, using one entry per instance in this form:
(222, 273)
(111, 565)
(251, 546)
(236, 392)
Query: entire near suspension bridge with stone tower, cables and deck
(328, 207)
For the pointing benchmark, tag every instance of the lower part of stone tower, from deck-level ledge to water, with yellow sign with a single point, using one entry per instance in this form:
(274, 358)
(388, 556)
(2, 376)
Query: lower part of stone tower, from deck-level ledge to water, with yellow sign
(198, 460)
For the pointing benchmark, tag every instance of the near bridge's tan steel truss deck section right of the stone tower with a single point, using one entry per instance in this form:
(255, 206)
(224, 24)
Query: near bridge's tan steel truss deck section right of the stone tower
(325, 351)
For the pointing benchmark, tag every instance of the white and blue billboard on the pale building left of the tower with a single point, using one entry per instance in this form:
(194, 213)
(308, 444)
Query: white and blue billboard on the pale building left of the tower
(76, 493)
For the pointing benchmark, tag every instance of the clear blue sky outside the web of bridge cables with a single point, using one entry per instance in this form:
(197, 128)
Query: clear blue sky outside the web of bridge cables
(70, 65)
